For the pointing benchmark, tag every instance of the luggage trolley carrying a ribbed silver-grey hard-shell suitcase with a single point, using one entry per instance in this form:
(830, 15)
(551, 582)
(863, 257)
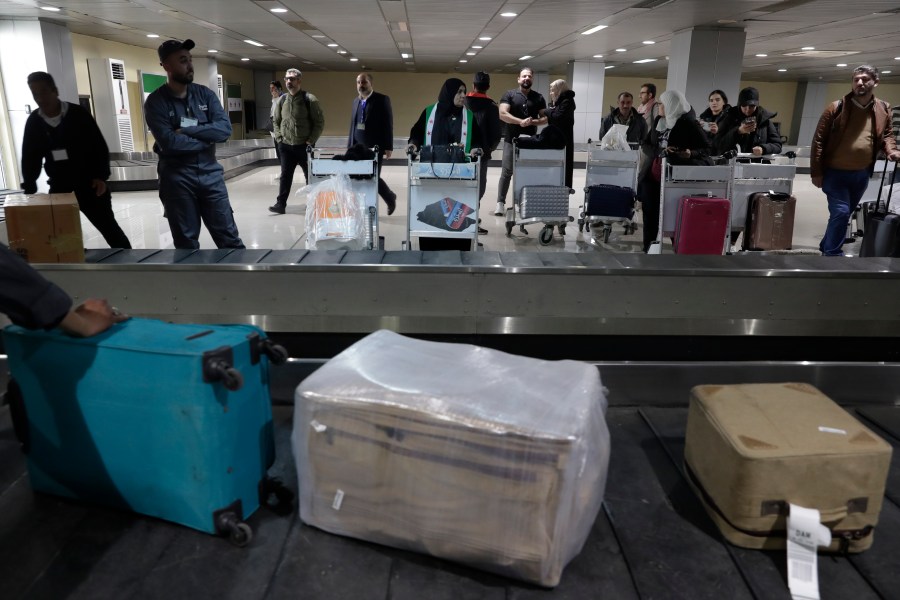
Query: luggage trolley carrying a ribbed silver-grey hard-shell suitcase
(547, 200)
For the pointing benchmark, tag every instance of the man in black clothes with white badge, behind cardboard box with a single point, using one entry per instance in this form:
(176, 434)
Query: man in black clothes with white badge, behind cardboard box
(65, 137)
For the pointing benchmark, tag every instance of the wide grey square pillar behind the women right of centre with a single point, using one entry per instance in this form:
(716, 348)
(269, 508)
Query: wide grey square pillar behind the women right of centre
(702, 60)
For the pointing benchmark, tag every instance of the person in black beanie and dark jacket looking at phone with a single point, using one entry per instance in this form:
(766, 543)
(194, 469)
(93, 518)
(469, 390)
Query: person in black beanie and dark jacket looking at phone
(748, 126)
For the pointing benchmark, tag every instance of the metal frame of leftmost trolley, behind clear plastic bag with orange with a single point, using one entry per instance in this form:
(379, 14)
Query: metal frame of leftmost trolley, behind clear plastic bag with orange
(322, 167)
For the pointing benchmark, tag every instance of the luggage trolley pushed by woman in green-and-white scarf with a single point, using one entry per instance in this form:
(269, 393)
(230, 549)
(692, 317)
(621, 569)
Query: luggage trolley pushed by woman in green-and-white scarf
(442, 200)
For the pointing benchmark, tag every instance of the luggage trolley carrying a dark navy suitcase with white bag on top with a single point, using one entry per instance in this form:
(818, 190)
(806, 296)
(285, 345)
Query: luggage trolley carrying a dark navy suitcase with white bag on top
(610, 168)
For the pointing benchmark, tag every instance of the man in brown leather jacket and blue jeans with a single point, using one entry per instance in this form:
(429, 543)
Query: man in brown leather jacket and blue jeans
(848, 137)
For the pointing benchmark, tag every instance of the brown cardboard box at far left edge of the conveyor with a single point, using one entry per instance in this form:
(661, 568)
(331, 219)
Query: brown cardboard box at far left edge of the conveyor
(45, 228)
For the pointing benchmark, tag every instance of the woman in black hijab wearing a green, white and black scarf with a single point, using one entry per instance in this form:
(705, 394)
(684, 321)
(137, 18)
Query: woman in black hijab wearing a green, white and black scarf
(448, 121)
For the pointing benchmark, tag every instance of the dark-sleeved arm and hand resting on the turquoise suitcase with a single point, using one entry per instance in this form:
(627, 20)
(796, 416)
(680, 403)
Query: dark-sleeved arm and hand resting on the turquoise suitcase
(33, 302)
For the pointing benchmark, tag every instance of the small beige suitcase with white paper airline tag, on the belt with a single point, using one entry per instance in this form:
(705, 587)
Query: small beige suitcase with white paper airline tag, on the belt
(751, 450)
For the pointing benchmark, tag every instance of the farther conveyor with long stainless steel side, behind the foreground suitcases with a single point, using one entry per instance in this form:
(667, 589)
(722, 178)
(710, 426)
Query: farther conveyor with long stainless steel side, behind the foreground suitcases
(600, 306)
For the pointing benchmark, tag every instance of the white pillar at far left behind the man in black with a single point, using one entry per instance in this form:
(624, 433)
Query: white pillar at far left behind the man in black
(25, 47)
